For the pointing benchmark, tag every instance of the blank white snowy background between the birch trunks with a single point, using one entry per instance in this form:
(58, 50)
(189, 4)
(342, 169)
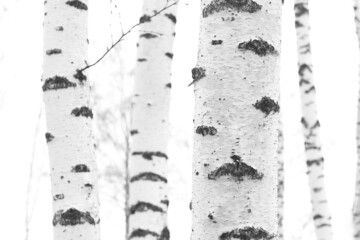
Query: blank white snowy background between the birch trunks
(25, 199)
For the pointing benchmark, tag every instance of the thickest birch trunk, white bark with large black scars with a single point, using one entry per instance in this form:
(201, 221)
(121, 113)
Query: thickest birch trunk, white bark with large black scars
(236, 85)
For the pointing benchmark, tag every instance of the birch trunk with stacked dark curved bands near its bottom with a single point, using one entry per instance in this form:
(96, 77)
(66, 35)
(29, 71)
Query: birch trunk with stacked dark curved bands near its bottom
(148, 202)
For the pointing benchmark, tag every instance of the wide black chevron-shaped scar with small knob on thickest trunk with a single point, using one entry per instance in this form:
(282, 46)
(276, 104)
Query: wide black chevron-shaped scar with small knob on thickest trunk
(238, 170)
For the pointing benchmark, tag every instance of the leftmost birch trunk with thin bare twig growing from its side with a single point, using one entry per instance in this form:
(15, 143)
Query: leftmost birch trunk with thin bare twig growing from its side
(69, 118)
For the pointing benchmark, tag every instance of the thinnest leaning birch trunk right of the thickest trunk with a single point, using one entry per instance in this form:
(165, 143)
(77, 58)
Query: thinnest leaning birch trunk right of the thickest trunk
(311, 124)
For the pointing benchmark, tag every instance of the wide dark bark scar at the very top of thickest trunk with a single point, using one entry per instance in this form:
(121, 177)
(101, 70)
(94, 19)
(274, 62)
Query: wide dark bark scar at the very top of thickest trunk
(249, 6)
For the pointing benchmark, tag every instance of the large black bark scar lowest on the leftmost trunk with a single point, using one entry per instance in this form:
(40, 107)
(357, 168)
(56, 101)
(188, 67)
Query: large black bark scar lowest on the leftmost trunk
(72, 217)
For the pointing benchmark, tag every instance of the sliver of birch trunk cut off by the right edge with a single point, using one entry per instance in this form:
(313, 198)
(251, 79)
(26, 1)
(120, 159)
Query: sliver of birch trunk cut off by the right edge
(356, 205)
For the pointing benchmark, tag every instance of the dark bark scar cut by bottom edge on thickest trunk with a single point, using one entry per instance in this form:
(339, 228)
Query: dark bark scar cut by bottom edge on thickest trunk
(247, 233)
